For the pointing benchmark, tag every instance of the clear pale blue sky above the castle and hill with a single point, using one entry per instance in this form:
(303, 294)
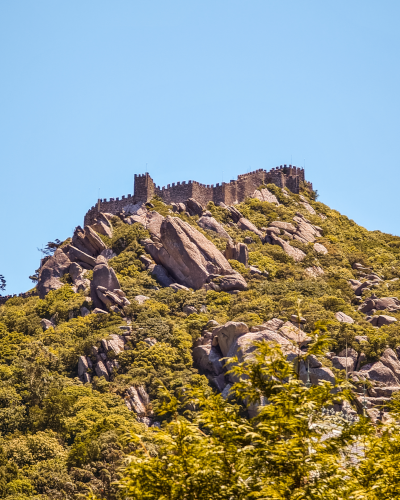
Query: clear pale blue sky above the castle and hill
(93, 91)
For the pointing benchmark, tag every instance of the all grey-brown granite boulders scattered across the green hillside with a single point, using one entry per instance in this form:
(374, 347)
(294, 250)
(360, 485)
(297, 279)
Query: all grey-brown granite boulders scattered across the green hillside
(179, 255)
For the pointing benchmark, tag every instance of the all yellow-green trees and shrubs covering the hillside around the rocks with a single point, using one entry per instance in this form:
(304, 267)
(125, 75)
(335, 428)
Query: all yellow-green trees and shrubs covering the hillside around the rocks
(63, 439)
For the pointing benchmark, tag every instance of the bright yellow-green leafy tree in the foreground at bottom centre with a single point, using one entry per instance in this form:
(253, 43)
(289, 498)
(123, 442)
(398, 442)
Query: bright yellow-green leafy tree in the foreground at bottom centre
(220, 454)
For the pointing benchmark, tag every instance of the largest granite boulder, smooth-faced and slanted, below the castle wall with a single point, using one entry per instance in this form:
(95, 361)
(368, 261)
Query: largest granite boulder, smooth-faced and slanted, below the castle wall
(188, 256)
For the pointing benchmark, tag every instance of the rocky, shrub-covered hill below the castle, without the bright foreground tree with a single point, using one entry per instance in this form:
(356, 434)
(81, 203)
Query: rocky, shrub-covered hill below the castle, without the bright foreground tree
(156, 299)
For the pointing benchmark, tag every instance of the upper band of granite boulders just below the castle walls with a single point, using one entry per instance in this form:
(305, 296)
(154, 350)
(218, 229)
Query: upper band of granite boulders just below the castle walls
(179, 255)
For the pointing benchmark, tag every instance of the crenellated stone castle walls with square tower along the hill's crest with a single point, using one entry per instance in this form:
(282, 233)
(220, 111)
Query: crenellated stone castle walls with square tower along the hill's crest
(230, 193)
